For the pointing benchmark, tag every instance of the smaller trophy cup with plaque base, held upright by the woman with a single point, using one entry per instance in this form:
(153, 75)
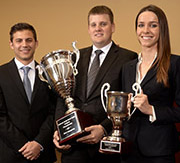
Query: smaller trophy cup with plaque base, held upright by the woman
(116, 108)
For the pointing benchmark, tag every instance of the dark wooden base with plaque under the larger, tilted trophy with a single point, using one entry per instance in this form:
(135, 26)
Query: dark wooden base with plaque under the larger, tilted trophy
(71, 126)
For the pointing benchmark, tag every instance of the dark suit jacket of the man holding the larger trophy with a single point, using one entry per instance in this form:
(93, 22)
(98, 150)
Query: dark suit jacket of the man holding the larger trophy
(110, 72)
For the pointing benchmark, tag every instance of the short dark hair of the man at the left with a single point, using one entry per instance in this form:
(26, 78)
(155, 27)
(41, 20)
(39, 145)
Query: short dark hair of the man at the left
(21, 27)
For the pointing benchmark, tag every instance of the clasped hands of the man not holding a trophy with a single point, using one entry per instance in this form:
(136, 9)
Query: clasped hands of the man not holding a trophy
(31, 150)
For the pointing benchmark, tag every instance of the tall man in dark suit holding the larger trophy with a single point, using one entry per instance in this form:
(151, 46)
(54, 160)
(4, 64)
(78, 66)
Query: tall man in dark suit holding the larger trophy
(111, 58)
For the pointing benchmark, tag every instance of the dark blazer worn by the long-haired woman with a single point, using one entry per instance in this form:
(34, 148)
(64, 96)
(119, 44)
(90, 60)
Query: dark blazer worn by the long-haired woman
(160, 137)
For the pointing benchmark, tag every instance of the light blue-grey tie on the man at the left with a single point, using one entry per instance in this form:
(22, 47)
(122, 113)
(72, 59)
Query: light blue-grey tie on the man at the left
(26, 82)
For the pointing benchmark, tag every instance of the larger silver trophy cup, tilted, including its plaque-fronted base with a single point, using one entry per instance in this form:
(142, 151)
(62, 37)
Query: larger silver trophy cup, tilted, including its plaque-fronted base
(59, 71)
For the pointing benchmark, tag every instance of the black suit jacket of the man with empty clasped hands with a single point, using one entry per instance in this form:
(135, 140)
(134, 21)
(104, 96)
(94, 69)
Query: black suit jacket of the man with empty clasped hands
(21, 121)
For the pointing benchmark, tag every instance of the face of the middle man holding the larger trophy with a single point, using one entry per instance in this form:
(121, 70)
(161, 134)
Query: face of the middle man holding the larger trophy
(100, 29)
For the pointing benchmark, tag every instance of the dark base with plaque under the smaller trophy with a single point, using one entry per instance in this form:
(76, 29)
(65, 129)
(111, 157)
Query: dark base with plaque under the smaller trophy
(111, 147)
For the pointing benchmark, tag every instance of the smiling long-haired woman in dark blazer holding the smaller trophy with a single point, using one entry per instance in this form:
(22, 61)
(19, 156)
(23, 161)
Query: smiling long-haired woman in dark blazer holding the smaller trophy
(151, 127)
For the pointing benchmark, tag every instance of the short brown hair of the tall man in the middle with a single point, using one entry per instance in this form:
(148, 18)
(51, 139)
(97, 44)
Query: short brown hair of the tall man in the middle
(101, 10)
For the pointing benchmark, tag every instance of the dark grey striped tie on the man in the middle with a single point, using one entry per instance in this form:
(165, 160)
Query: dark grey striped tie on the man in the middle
(93, 71)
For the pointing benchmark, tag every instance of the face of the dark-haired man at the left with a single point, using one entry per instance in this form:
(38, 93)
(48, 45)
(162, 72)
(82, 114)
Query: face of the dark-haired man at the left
(24, 45)
